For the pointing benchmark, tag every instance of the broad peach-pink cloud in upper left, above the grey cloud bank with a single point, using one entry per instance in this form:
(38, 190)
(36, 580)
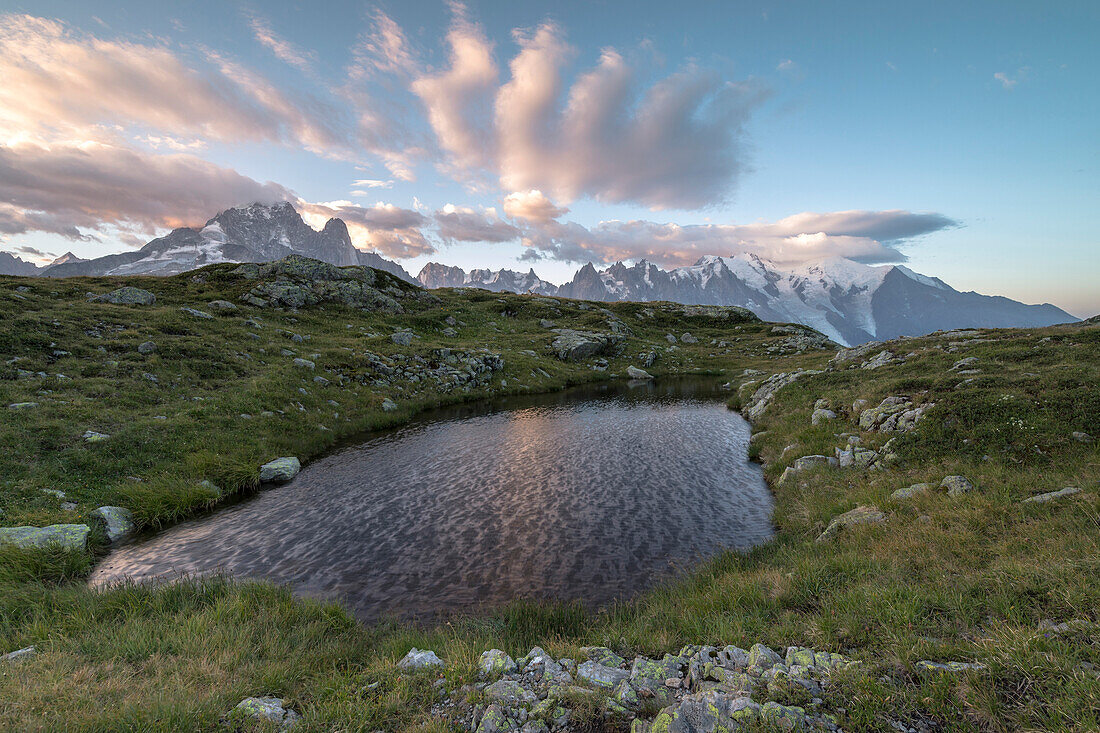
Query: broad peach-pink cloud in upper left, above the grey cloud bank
(60, 85)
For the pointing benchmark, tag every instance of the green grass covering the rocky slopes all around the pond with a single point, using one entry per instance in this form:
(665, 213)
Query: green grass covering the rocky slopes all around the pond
(965, 578)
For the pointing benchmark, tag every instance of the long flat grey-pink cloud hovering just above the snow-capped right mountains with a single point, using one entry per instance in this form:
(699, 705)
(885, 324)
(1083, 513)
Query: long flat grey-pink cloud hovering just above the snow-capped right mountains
(870, 237)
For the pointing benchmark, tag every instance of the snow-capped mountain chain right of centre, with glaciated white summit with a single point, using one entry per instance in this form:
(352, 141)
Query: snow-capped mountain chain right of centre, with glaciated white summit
(850, 302)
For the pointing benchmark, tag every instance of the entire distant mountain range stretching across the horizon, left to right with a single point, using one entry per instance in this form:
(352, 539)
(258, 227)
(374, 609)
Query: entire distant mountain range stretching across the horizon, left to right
(850, 302)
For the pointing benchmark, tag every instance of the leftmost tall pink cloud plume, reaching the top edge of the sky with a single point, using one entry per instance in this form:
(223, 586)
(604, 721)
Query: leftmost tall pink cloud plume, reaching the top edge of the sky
(458, 100)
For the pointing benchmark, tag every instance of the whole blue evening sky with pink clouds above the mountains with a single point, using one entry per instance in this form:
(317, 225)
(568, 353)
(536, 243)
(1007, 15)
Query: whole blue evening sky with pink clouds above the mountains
(961, 139)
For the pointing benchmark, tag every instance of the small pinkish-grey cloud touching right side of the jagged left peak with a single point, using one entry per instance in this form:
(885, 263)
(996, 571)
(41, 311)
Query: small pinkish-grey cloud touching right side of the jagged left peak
(389, 229)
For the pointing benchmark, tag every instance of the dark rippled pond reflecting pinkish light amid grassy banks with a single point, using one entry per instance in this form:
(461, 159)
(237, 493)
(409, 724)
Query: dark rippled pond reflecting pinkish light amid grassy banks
(592, 495)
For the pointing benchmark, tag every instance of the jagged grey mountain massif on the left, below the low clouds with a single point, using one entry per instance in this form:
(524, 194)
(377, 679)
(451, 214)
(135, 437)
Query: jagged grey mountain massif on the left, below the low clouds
(249, 234)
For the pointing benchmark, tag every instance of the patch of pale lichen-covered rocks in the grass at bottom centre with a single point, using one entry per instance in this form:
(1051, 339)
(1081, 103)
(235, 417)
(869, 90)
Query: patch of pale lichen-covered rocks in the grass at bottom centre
(700, 688)
